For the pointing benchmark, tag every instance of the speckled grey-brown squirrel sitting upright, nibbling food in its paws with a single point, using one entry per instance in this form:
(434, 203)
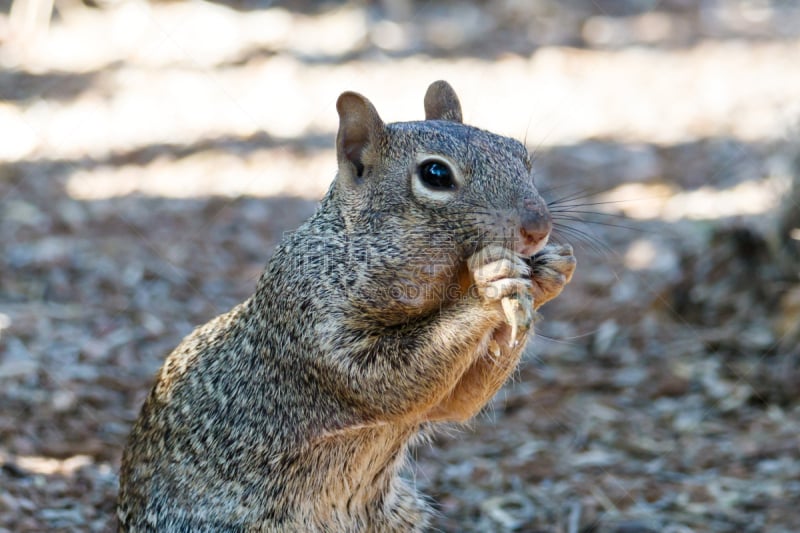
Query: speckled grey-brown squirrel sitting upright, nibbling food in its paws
(404, 301)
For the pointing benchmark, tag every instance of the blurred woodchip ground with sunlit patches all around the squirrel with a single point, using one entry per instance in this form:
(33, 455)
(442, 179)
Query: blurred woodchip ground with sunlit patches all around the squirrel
(152, 154)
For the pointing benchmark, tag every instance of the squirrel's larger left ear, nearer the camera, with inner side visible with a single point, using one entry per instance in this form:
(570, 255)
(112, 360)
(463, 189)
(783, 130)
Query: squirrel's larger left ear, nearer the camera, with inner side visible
(359, 127)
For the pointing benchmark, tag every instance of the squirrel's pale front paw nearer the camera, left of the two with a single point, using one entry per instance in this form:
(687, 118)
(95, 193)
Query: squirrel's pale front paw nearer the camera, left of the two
(500, 275)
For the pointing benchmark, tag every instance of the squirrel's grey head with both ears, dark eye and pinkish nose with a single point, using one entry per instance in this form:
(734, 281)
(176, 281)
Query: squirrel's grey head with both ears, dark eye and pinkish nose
(444, 179)
